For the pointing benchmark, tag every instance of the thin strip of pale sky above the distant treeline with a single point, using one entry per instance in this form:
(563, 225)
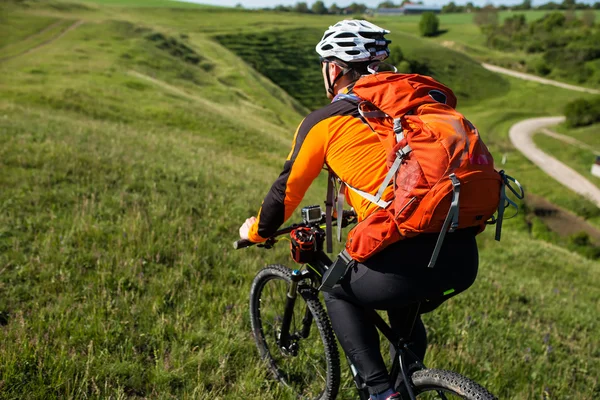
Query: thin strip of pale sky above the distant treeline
(369, 3)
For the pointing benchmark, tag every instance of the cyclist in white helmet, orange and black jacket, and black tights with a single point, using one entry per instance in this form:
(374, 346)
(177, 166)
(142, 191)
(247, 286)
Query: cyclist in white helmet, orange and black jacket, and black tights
(397, 276)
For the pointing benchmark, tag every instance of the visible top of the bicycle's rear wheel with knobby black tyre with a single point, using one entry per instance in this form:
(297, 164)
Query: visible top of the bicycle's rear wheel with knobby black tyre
(428, 383)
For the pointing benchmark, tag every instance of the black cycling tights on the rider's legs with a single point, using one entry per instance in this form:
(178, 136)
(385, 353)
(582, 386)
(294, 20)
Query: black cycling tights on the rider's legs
(392, 280)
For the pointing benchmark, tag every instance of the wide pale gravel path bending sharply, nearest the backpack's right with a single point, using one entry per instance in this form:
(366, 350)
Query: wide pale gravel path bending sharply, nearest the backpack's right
(521, 137)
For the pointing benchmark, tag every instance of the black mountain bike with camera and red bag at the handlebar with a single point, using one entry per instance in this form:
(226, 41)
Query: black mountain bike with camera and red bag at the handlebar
(310, 364)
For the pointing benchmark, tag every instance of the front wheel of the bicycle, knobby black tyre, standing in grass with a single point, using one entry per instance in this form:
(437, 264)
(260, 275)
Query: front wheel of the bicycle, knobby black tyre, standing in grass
(310, 366)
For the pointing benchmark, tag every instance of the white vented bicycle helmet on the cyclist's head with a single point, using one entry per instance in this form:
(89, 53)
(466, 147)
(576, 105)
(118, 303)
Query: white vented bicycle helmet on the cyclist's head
(354, 41)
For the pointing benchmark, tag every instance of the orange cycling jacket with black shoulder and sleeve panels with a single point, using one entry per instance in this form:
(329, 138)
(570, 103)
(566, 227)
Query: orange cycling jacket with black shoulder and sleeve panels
(334, 135)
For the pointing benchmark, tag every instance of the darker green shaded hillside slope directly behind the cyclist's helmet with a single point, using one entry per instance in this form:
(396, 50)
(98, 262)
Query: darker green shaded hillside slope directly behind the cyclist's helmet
(282, 54)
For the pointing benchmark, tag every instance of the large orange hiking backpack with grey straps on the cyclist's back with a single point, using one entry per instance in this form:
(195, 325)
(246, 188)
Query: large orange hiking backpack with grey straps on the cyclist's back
(443, 174)
